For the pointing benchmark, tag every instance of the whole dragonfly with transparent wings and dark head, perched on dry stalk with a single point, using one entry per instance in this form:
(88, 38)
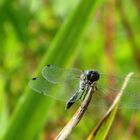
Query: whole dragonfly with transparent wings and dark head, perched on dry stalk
(71, 85)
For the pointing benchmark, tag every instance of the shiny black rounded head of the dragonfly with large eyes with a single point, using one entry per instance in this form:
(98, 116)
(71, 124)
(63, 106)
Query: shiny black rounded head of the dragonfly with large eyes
(92, 75)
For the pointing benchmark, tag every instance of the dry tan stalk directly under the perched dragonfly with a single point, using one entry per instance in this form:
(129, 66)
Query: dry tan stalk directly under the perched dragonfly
(76, 117)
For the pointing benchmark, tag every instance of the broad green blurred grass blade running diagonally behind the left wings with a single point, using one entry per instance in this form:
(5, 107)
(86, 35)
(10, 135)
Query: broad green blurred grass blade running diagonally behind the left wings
(32, 109)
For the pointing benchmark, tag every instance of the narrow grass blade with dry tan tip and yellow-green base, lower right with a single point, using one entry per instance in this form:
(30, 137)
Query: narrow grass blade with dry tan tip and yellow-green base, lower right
(104, 125)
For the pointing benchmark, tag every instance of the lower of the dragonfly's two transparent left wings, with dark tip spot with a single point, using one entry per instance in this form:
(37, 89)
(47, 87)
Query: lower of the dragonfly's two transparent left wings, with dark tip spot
(57, 91)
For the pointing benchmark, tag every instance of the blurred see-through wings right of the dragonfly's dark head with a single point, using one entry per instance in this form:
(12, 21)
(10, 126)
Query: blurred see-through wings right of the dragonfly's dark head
(108, 88)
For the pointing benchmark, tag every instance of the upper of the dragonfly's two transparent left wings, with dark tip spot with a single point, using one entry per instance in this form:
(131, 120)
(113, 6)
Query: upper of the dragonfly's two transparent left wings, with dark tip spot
(56, 74)
